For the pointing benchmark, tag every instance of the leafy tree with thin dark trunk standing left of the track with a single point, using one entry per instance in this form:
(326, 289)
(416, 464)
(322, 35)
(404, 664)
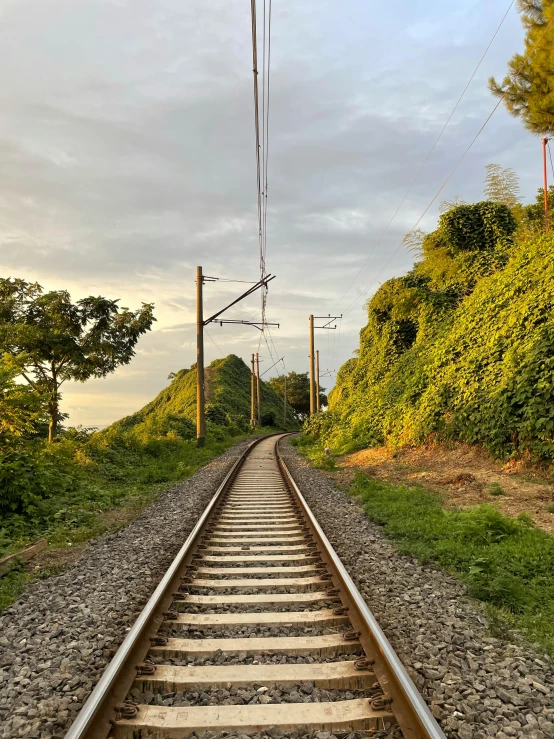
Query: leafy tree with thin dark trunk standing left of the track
(51, 339)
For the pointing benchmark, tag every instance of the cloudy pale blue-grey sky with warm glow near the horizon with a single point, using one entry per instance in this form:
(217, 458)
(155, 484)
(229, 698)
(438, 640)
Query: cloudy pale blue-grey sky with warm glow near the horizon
(127, 157)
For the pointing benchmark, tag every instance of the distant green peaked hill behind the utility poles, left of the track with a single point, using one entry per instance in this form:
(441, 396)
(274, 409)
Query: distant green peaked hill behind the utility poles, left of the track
(173, 411)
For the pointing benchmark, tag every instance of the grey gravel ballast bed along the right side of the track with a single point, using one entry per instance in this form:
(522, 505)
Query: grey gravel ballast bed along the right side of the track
(476, 685)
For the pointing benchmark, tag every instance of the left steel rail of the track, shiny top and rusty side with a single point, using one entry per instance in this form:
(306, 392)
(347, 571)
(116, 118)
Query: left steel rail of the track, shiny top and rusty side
(94, 717)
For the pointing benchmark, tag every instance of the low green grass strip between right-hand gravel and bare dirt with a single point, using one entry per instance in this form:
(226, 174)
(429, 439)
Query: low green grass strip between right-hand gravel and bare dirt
(505, 562)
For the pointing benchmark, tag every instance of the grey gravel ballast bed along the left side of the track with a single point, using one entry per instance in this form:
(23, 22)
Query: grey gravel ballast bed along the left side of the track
(58, 637)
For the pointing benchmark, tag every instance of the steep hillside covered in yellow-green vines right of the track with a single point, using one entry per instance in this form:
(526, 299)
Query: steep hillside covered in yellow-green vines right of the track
(462, 347)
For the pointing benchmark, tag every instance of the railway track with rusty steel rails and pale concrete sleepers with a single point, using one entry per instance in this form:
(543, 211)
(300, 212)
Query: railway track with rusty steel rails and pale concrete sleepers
(257, 615)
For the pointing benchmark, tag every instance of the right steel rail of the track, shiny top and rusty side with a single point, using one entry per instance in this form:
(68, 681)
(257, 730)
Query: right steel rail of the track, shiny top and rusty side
(410, 710)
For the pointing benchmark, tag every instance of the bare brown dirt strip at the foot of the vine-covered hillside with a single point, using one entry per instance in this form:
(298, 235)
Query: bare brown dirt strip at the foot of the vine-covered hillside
(463, 474)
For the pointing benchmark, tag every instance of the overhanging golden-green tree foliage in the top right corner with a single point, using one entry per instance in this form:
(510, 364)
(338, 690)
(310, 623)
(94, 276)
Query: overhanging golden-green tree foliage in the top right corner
(528, 88)
